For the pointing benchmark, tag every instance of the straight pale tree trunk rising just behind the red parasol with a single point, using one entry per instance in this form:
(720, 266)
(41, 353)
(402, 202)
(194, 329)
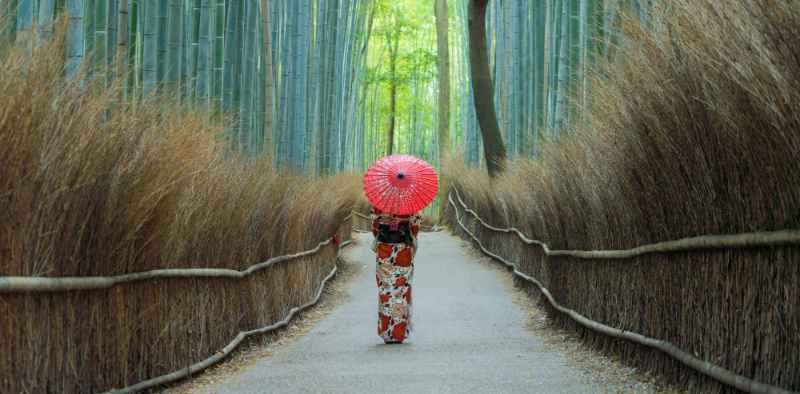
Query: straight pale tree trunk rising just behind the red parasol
(440, 9)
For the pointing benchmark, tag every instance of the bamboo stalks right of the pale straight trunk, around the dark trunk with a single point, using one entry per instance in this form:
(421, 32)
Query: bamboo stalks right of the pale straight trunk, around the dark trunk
(542, 54)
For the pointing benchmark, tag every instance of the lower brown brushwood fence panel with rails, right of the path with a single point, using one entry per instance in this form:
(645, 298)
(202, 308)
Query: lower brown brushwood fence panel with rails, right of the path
(605, 295)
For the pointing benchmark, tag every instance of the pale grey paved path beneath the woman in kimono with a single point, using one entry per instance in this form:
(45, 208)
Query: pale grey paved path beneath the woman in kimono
(469, 337)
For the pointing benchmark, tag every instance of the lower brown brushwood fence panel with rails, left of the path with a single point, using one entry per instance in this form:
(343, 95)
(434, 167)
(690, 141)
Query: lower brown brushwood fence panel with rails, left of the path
(69, 335)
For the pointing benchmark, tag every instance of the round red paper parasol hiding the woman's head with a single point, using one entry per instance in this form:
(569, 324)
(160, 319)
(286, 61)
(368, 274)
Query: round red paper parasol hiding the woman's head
(400, 184)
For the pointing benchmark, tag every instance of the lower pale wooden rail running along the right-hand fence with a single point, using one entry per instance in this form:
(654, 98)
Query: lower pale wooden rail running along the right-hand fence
(709, 369)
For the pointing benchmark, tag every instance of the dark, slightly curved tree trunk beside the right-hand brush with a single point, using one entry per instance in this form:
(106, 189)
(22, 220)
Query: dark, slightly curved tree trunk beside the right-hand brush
(493, 148)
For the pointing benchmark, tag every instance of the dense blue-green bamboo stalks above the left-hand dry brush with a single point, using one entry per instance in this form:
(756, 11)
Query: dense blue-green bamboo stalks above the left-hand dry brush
(292, 96)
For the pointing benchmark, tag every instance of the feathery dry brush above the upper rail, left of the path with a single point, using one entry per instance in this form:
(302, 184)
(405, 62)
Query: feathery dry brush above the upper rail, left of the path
(88, 191)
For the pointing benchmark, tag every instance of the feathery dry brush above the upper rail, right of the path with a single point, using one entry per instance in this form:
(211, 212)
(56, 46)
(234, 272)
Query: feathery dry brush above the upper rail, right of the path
(694, 130)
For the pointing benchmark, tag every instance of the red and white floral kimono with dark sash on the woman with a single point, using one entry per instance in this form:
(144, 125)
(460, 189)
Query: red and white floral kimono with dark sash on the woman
(395, 246)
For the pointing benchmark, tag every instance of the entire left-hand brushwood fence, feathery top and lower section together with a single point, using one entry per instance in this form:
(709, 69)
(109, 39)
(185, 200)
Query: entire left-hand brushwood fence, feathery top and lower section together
(91, 185)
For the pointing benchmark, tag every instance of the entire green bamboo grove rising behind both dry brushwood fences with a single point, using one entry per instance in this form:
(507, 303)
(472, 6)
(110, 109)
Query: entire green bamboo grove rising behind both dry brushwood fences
(338, 83)
